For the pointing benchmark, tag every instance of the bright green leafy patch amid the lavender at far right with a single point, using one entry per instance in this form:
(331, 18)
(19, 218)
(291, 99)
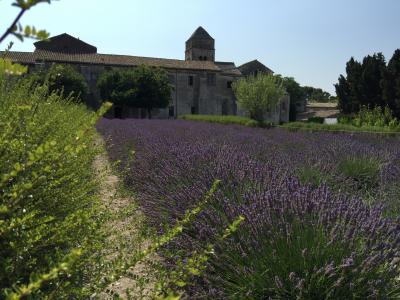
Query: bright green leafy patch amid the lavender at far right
(364, 171)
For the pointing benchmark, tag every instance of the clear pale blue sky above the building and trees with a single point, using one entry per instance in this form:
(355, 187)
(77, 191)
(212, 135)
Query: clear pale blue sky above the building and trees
(310, 40)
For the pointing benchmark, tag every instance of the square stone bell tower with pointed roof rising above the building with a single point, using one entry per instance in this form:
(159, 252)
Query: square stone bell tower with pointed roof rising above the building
(200, 46)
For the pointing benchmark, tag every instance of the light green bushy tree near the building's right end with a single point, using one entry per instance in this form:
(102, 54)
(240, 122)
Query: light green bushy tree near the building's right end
(259, 94)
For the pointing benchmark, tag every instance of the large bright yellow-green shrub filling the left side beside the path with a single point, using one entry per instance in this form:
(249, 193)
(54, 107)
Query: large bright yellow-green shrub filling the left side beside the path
(48, 200)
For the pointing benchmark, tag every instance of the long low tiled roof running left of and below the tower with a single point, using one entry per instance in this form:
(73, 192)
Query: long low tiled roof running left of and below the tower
(109, 60)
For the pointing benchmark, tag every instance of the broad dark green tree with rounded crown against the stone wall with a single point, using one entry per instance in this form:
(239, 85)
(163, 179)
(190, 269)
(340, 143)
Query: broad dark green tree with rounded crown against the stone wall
(141, 87)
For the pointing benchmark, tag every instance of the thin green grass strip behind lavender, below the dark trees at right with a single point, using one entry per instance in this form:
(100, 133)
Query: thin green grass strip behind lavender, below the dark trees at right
(295, 126)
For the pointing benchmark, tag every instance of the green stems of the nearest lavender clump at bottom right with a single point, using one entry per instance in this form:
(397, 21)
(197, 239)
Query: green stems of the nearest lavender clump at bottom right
(284, 266)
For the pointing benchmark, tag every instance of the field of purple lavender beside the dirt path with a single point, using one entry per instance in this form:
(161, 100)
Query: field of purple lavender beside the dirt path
(301, 239)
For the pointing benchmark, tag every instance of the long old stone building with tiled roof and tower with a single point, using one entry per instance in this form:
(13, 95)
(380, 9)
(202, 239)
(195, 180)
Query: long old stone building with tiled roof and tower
(201, 84)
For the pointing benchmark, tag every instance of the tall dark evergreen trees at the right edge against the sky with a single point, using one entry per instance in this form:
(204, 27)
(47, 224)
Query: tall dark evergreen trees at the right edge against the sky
(371, 83)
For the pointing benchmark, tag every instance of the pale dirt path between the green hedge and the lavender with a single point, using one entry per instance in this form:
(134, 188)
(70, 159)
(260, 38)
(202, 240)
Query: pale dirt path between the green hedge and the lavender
(126, 237)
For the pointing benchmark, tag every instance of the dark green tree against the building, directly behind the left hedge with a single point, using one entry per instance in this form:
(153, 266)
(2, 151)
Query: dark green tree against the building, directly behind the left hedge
(62, 78)
